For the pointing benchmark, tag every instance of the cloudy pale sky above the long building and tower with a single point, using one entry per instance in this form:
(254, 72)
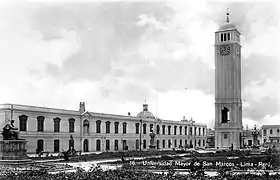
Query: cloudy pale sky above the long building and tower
(116, 55)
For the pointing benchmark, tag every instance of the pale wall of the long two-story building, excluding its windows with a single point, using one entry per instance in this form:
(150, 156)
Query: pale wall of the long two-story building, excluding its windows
(80, 135)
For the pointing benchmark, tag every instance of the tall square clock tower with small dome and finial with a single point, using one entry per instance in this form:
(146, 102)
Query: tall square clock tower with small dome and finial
(228, 105)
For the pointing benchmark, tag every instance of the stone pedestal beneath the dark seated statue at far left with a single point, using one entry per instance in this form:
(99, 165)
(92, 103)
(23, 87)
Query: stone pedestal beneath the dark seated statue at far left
(13, 152)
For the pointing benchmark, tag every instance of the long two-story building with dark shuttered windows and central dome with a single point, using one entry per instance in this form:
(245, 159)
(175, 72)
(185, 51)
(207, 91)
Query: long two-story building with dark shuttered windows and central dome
(49, 129)
